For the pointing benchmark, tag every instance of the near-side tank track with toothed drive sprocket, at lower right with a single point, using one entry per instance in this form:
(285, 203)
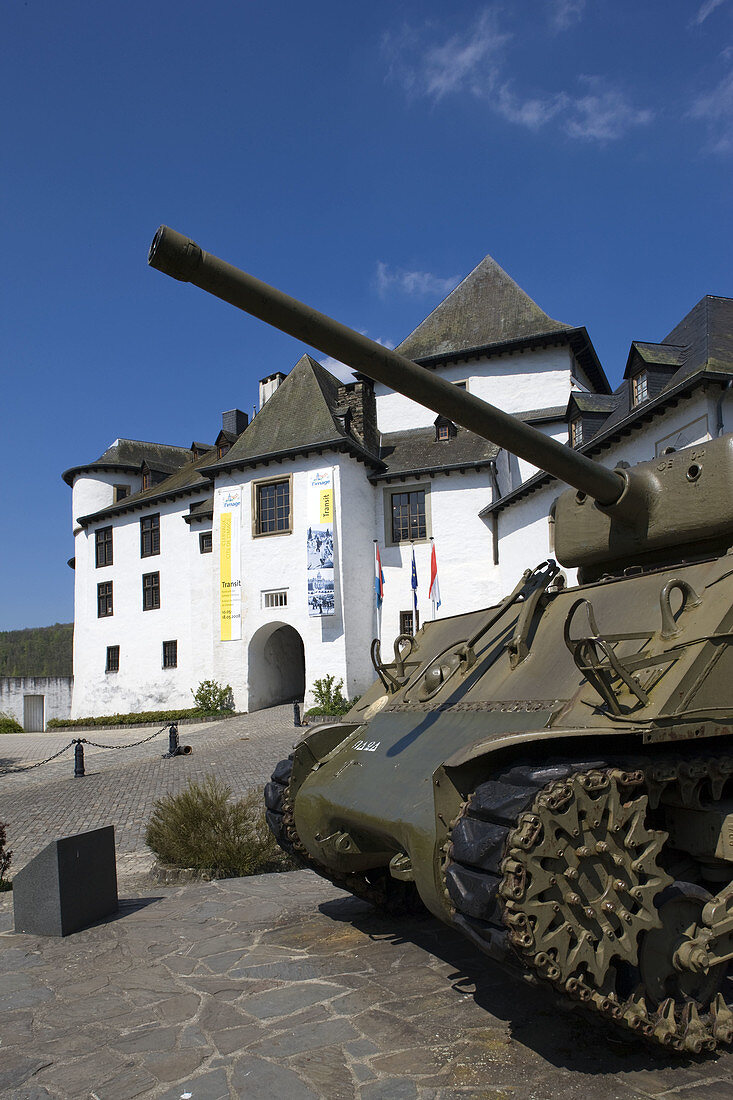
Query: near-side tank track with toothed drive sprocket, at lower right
(509, 876)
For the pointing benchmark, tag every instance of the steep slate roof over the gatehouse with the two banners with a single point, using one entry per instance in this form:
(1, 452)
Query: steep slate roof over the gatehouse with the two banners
(300, 416)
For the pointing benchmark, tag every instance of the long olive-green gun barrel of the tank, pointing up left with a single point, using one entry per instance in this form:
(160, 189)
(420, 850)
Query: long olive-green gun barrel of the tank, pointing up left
(181, 258)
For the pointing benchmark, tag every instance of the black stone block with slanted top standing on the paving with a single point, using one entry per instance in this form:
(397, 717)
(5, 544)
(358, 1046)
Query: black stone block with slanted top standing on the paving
(69, 886)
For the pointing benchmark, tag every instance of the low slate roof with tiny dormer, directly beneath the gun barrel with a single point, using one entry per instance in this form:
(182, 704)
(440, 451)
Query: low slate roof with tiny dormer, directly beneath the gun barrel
(417, 452)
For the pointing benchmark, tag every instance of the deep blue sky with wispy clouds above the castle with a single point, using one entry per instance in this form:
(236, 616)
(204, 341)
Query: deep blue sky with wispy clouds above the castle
(364, 158)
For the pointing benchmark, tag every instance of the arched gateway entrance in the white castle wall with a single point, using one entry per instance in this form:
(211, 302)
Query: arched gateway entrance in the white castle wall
(277, 666)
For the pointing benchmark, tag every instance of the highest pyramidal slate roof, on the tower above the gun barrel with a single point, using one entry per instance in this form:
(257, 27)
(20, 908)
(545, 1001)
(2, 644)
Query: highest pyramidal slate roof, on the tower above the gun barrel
(487, 309)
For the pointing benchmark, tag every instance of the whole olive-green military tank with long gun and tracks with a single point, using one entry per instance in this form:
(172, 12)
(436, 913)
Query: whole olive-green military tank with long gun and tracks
(552, 776)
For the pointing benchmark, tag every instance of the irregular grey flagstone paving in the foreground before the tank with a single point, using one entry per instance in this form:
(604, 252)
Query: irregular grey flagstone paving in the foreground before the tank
(283, 986)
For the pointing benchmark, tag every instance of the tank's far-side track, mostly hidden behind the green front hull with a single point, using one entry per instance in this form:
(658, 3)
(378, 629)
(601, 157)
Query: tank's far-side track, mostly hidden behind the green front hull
(379, 888)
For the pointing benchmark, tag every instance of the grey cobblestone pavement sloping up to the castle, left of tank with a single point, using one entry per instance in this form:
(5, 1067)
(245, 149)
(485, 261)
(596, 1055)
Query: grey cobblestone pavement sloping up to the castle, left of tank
(122, 786)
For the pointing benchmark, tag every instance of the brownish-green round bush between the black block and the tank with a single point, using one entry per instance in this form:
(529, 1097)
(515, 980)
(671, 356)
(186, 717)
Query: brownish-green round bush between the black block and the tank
(204, 829)
